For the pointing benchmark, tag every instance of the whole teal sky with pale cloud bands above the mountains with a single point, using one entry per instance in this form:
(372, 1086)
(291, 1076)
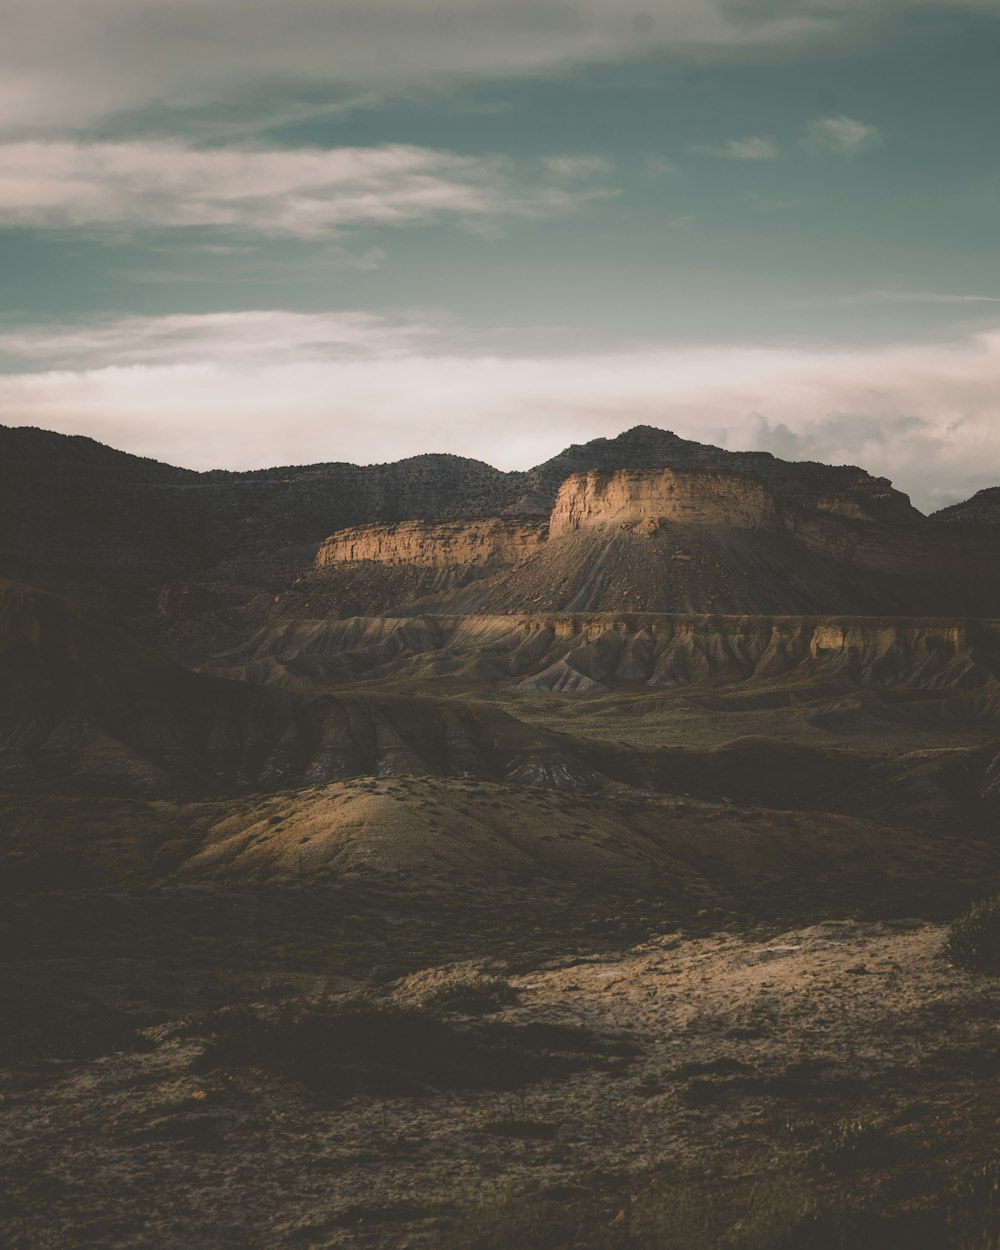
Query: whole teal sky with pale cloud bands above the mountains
(251, 233)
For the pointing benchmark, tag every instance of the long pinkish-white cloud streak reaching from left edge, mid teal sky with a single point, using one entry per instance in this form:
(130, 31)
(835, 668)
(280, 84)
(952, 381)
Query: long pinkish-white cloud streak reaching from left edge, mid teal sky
(291, 193)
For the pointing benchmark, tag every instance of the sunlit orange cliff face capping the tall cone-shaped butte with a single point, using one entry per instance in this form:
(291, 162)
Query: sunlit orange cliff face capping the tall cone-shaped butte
(643, 498)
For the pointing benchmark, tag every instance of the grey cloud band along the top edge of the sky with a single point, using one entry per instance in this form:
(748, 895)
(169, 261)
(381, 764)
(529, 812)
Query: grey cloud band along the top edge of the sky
(68, 63)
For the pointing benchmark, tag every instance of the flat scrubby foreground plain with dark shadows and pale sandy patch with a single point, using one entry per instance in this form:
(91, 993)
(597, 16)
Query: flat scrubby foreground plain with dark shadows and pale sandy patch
(261, 1071)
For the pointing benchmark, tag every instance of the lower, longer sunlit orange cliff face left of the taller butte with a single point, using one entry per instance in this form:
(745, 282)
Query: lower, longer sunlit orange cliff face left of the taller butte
(487, 544)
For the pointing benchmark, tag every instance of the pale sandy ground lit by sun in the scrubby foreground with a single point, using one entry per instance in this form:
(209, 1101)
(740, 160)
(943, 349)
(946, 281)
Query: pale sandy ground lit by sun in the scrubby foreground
(137, 1151)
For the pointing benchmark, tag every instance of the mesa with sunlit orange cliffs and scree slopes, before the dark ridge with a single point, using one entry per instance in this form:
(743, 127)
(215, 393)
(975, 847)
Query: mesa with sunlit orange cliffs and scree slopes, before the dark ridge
(668, 541)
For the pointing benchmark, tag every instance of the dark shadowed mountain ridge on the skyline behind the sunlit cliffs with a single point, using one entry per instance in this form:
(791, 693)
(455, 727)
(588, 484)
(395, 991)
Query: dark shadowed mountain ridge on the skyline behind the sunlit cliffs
(81, 518)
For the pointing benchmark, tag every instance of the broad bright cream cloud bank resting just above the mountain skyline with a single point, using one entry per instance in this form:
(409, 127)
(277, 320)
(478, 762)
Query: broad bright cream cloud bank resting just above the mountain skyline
(256, 389)
